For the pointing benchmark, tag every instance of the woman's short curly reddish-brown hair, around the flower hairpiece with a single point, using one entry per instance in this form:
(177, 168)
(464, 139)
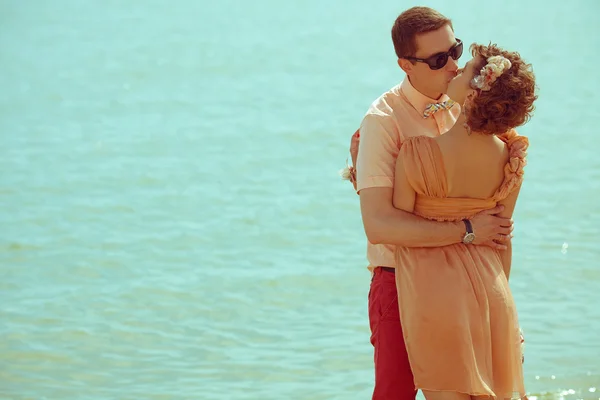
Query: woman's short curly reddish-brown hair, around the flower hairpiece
(509, 102)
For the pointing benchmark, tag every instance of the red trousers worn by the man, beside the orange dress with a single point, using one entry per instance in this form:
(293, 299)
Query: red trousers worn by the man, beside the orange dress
(393, 376)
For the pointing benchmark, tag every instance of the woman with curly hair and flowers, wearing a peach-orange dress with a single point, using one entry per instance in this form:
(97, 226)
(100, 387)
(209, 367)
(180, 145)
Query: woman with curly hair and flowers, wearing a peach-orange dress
(459, 319)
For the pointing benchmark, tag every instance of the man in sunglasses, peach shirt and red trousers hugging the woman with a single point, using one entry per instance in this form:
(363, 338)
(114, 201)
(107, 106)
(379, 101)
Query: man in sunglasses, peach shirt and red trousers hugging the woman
(427, 52)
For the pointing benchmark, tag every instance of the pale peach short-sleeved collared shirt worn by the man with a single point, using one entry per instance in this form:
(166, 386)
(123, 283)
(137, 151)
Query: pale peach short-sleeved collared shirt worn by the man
(393, 117)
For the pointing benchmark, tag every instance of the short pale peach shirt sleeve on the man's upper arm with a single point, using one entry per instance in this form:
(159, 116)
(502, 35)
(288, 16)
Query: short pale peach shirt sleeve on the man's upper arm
(377, 153)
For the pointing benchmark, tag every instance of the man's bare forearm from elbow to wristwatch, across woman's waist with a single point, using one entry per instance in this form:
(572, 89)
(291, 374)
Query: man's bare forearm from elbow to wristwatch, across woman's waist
(401, 228)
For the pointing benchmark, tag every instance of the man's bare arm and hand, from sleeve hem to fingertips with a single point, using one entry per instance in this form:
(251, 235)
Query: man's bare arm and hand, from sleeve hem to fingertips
(385, 224)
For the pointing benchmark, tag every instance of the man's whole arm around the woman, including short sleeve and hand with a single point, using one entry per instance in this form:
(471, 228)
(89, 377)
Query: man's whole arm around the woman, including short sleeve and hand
(385, 224)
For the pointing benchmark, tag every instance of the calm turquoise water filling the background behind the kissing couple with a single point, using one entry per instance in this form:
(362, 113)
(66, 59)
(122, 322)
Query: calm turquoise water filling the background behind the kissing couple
(173, 225)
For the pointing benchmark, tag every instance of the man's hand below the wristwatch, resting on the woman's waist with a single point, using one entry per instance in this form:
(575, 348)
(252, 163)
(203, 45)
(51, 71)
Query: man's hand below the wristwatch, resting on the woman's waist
(492, 230)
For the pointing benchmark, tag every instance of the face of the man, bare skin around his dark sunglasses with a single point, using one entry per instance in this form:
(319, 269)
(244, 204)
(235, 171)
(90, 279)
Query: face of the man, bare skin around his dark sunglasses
(429, 44)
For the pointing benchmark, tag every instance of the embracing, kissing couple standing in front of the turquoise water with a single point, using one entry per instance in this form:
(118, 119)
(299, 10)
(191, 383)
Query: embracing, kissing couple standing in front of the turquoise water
(438, 169)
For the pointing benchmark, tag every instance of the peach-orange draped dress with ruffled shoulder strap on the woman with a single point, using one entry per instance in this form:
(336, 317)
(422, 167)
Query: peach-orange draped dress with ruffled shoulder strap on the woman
(458, 315)
